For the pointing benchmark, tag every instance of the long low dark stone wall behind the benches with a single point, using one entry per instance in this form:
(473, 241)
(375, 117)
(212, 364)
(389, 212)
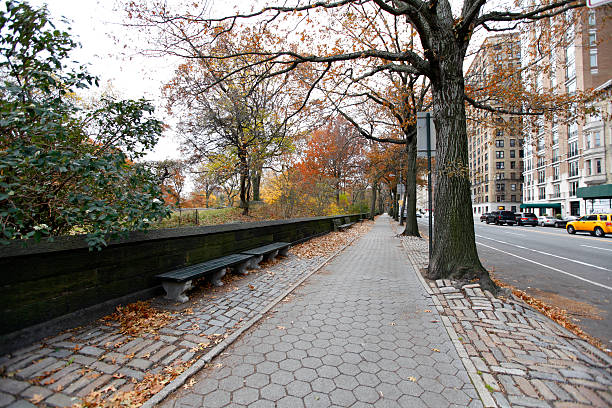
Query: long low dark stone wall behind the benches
(46, 281)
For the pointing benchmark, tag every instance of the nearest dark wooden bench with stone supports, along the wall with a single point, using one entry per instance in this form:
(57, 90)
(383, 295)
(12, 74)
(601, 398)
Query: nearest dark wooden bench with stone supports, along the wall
(178, 281)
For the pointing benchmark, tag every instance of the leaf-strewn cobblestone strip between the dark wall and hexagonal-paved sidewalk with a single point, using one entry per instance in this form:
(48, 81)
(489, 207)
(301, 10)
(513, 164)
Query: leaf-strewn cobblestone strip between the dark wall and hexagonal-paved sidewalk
(61, 370)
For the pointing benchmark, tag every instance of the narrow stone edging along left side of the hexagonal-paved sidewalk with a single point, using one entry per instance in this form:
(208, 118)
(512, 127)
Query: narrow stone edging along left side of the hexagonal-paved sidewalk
(219, 348)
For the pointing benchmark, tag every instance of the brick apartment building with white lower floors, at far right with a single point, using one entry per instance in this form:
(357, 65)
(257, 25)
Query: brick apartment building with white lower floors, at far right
(564, 156)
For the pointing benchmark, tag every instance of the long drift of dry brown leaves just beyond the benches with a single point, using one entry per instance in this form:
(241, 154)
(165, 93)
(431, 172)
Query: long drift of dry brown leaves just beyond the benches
(327, 244)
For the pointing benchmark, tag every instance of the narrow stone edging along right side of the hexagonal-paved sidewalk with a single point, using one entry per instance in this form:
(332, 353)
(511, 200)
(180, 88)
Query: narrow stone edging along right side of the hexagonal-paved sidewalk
(485, 396)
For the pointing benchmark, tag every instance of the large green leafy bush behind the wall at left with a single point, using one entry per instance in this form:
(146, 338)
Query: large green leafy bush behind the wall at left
(64, 168)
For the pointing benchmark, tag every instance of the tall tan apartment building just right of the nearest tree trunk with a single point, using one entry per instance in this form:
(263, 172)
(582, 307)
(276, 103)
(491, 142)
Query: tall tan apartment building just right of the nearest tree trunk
(495, 141)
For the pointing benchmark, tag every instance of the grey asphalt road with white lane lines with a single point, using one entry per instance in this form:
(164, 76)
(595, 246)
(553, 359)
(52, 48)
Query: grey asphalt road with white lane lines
(571, 271)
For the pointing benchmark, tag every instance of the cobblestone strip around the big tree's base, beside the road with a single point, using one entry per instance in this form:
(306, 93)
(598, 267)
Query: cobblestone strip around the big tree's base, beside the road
(522, 357)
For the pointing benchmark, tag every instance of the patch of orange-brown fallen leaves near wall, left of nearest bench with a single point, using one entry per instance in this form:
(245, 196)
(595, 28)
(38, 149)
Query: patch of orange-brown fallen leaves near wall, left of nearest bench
(139, 317)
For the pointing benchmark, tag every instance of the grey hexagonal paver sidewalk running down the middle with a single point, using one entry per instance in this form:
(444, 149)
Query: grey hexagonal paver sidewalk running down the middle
(361, 332)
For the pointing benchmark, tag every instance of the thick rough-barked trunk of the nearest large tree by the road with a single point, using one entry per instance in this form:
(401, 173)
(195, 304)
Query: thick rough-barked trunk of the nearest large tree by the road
(454, 247)
